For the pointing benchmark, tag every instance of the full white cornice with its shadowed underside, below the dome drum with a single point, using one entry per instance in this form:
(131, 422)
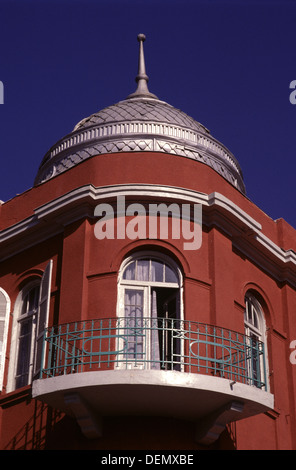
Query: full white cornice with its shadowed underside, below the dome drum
(50, 219)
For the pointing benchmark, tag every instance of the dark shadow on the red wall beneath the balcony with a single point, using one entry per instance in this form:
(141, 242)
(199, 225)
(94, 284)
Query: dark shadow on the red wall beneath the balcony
(50, 429)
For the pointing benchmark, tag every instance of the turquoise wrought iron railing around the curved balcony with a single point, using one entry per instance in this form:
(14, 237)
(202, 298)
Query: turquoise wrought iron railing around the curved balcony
(153, 343)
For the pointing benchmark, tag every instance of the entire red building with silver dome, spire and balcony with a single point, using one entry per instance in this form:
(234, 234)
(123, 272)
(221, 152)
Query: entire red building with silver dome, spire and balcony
(145, 301)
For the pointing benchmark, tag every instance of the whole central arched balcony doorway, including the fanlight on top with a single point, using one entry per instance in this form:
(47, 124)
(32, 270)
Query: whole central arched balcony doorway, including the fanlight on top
(150, 311)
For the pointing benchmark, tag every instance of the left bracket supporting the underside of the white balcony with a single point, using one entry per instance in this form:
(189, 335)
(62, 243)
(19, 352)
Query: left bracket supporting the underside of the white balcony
(90, 424)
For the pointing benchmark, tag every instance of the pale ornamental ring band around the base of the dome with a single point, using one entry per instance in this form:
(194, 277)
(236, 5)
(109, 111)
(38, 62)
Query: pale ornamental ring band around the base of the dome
(140, 136)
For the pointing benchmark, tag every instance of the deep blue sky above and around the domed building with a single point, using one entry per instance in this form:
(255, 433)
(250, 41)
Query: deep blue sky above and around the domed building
(228, 64)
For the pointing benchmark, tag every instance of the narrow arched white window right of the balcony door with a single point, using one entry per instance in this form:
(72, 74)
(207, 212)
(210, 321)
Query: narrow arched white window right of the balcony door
(255, 334)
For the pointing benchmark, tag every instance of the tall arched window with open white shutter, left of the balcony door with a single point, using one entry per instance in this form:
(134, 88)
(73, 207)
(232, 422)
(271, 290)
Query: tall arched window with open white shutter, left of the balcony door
(30, 320)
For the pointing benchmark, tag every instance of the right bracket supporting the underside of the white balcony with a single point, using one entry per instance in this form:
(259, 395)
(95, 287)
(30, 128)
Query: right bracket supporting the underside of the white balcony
(209, 428)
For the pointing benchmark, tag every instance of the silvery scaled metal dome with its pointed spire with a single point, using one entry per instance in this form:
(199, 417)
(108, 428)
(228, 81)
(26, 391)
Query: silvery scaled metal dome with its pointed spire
(140, 123)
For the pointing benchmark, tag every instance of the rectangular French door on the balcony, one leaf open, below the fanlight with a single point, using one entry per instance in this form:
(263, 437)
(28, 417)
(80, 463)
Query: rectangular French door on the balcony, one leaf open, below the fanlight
(149, 328)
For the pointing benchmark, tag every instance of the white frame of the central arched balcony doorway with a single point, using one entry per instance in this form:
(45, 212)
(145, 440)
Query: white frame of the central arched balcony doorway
(146, 286)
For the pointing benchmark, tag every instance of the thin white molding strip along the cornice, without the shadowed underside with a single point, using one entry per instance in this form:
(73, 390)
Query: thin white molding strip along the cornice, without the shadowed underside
(92, 194)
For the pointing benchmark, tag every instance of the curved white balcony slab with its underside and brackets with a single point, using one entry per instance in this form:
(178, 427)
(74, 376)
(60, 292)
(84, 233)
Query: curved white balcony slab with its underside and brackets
(206, 400)
